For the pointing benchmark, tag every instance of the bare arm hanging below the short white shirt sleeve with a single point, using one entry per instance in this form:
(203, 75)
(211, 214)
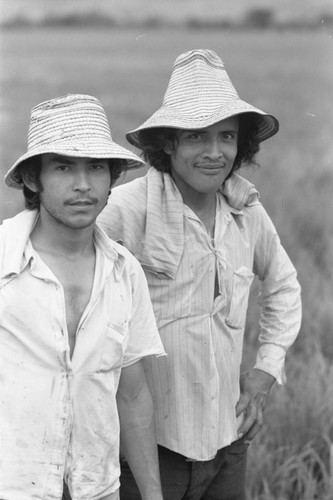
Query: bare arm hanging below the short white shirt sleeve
(137, 434)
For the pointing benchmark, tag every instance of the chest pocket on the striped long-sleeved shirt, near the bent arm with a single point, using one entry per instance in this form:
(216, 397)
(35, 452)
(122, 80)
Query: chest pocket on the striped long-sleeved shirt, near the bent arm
(241, 284)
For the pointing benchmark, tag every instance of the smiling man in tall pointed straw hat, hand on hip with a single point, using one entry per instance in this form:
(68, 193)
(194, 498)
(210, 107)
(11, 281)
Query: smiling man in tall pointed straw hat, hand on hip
(201, 235)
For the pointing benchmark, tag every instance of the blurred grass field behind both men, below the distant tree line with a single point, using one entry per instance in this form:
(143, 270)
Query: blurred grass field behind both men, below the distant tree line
(288, 74)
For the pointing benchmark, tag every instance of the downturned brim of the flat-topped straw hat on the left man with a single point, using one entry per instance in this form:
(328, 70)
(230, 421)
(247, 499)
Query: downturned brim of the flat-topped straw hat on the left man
(101, 151)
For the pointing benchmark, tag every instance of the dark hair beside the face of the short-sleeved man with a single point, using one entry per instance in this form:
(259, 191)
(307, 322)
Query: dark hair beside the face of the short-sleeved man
(34, 166)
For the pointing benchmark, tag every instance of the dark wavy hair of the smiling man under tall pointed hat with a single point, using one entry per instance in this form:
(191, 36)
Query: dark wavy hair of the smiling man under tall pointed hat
(152, 142)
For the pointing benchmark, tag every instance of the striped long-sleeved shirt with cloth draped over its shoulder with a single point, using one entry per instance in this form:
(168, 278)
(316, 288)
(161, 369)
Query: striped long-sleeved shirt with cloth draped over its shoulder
(196, 387)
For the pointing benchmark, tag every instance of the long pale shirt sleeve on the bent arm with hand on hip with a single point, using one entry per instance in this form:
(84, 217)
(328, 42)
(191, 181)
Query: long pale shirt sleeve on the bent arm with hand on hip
(280, 300)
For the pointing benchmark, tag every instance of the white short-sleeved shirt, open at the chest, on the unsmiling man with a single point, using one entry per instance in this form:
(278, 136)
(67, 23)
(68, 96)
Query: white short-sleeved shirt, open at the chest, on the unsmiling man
(58, 416)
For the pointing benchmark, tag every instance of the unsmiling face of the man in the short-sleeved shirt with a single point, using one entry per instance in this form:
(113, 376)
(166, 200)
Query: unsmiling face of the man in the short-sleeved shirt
(74, 190)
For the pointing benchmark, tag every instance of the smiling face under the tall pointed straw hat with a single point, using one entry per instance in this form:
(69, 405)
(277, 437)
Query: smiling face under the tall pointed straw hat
(202, 159)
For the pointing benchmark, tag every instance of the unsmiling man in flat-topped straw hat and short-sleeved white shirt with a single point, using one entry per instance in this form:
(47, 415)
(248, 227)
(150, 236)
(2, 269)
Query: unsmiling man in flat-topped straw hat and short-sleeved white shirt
(75, 320)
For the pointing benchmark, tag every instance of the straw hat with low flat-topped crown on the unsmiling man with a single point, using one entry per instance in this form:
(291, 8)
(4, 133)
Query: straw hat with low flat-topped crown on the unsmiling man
(71, 125)
